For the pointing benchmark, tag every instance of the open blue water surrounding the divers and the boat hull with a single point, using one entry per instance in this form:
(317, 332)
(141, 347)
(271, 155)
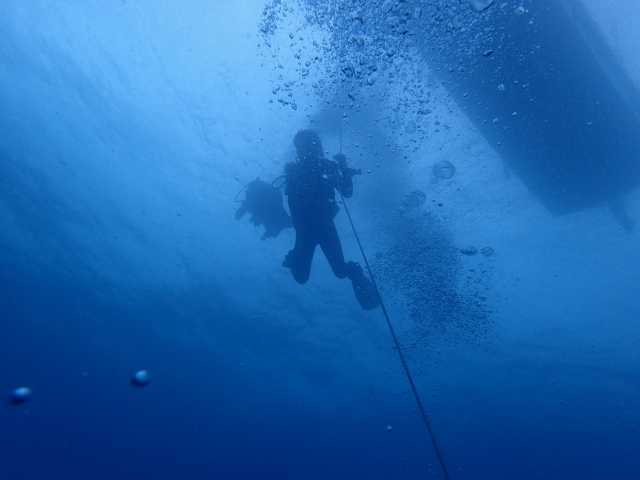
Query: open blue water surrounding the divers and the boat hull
(128, 129)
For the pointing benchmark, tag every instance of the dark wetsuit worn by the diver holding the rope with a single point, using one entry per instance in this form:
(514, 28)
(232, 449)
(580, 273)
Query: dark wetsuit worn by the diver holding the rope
(310, 190)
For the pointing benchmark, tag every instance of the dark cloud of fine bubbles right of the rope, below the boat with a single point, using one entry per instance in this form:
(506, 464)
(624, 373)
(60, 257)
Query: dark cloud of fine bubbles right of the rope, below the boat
(444, 293)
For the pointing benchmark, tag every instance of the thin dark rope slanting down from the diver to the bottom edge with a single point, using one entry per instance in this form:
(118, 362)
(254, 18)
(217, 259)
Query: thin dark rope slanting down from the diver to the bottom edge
(403, 360)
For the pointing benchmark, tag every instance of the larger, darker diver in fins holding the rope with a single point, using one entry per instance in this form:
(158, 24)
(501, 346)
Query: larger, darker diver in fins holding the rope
(310, 185)
